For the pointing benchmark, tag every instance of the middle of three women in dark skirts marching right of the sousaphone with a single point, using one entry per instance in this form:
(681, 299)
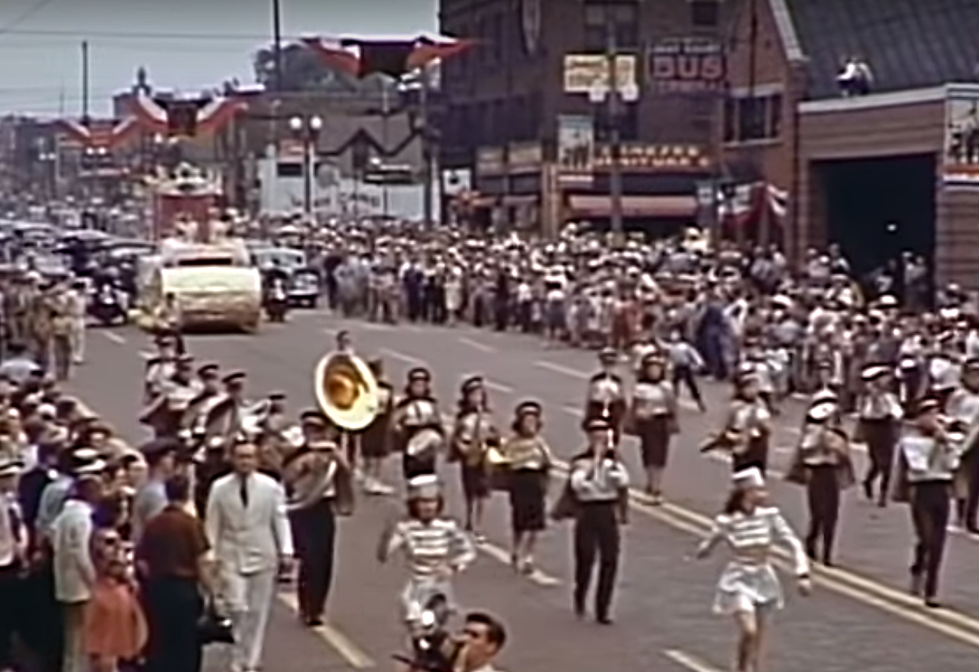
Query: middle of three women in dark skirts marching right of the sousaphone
(474, 433)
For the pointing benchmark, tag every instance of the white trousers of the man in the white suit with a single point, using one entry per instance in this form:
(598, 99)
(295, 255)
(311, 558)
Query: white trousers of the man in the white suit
(249, 601)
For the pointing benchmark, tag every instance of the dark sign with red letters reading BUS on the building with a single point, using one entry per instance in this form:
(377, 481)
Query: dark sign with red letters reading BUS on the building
(686, 65)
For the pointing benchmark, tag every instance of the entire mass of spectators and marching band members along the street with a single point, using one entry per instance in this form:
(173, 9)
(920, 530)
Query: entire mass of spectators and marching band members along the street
(144, 555)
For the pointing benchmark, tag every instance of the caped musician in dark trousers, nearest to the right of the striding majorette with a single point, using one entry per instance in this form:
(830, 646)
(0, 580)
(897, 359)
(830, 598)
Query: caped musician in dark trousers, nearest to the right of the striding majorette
(822, 463)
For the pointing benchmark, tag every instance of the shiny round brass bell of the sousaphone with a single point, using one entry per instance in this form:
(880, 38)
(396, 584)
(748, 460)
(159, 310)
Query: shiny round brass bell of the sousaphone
(346, 391)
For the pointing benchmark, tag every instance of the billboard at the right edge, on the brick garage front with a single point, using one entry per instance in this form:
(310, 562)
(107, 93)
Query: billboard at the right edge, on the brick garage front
(961, 156)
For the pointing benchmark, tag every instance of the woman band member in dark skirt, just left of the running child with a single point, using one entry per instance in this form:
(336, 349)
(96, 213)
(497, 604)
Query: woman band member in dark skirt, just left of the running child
(653, 417)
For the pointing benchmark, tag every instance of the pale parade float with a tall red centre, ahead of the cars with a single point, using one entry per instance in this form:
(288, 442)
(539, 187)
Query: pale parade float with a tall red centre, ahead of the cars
(200, 262)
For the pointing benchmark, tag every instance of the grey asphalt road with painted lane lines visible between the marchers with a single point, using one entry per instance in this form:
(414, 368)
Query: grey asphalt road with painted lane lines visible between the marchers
(859, 618)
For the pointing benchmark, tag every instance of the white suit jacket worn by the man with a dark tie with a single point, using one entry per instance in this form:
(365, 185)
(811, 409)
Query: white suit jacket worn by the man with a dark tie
(248, 540)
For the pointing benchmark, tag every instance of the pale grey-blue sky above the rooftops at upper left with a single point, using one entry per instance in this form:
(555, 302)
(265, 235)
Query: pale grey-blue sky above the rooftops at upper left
(185, 45)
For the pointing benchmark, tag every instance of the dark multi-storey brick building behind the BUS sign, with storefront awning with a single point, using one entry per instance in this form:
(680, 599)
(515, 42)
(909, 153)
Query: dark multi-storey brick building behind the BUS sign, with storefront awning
(506, 96)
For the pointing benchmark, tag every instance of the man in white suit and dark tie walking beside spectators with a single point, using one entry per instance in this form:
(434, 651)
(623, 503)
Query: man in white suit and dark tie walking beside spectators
(249, 532)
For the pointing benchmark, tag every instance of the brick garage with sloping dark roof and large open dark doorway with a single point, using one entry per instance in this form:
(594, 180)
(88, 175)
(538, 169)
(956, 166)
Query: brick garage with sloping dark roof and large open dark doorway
(886, 172)
